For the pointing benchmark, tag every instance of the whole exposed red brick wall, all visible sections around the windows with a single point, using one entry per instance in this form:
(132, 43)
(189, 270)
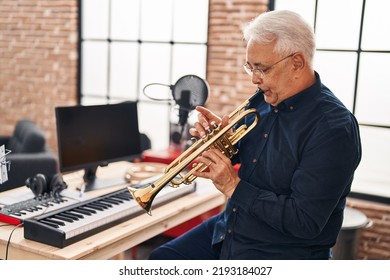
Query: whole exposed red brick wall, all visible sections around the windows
(38, 71)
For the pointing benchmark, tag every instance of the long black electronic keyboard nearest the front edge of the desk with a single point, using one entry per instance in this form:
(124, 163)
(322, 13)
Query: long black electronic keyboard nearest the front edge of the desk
(70, 224)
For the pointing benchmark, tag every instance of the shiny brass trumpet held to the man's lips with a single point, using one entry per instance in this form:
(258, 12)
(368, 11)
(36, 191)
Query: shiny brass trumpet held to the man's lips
(222, 138)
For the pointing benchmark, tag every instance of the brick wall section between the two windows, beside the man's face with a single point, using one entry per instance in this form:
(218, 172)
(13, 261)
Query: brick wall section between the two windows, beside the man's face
(229, 84)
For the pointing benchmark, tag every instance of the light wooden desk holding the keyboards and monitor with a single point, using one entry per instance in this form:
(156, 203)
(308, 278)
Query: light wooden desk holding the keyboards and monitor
(119, 238)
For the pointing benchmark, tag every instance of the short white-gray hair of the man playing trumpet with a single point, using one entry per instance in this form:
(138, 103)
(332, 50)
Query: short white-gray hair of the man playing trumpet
(288, 29)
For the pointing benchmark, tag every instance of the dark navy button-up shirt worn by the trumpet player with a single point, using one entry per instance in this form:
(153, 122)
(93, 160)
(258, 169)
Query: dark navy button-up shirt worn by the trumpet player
(297, 167)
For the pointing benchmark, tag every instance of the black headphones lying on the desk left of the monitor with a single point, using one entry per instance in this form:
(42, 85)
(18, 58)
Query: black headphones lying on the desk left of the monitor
(41, 184)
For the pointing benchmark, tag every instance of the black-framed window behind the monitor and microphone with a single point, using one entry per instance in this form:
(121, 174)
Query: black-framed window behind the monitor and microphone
(127, 44)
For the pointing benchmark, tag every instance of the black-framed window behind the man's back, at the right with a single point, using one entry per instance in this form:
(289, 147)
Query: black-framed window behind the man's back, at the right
(353, 54)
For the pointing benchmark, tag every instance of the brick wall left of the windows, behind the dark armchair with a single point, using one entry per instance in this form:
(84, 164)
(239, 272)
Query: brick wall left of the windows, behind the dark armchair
(38, 62)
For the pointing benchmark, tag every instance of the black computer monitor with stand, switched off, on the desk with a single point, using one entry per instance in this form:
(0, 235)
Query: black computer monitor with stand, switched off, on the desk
(93, 136)
